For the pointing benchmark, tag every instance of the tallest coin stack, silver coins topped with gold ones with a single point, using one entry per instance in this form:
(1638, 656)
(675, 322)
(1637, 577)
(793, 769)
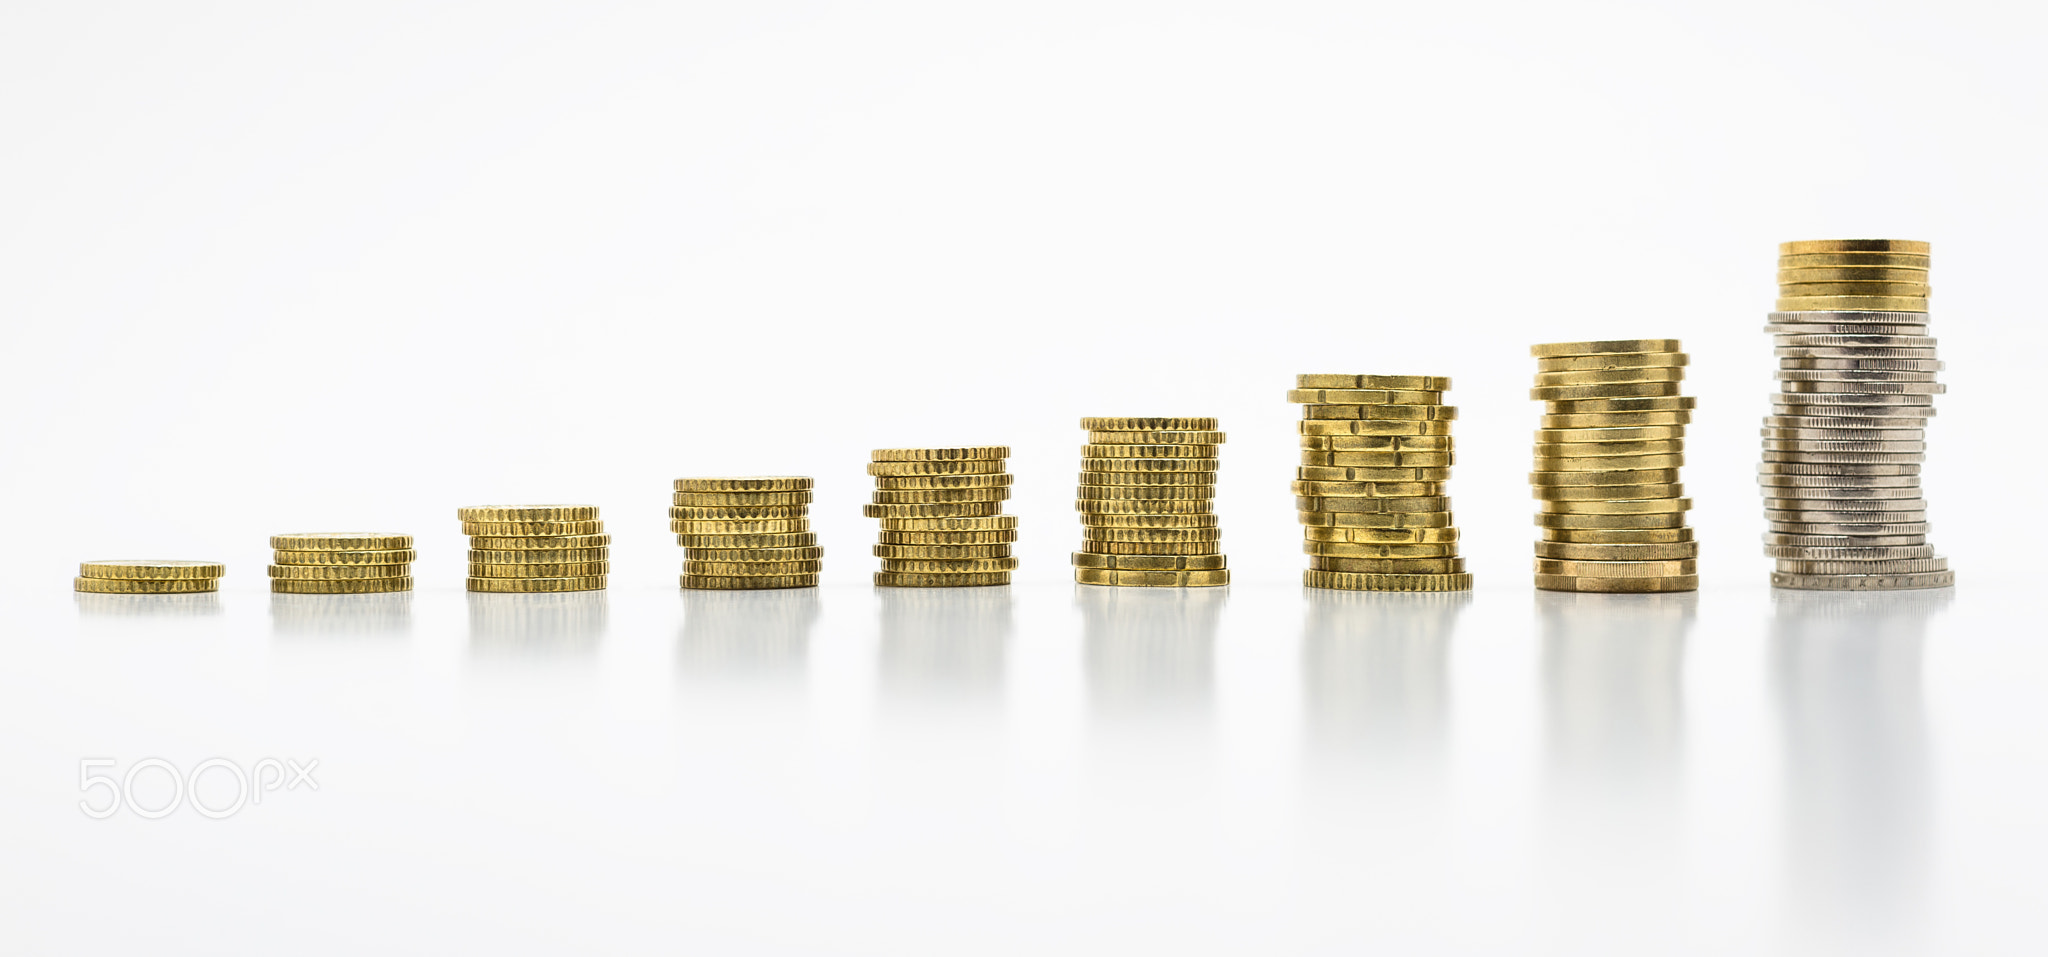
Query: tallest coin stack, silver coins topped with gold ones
(1846, 435)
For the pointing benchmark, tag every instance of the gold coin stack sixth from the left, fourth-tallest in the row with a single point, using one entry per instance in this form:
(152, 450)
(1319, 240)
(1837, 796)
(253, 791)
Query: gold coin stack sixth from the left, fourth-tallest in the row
(1148, 503)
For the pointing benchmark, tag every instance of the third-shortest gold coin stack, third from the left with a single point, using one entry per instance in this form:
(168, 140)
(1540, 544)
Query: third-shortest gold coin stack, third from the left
(536, 548)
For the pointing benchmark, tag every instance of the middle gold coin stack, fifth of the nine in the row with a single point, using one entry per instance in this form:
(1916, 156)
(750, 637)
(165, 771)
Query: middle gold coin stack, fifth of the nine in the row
(941, 513)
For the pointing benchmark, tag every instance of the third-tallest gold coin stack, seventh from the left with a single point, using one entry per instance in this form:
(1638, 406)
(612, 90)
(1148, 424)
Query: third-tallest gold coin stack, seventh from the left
(1375, 456)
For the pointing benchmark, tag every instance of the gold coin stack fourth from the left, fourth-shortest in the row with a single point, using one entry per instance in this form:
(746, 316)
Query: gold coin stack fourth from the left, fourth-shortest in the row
(744, 534)
